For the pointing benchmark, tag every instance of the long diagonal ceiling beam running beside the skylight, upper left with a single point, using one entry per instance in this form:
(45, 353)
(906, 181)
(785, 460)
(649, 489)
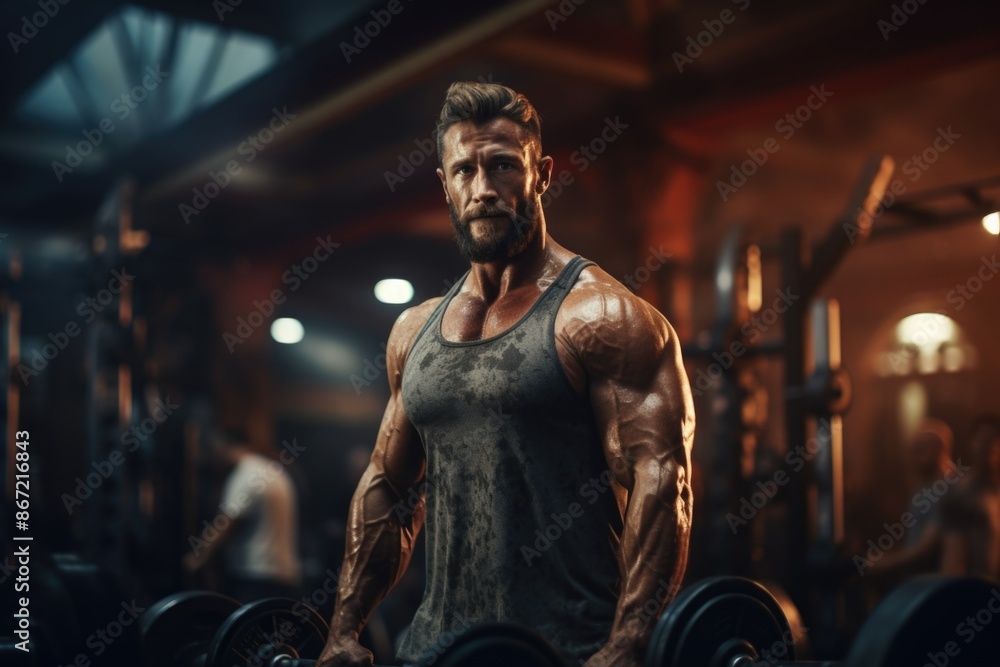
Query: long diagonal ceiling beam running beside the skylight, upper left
(423, 39)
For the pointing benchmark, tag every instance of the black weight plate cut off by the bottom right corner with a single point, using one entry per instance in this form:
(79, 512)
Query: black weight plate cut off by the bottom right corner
(932, 620)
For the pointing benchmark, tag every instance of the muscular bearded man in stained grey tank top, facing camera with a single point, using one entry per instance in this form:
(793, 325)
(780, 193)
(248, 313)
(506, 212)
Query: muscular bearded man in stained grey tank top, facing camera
(543, 413)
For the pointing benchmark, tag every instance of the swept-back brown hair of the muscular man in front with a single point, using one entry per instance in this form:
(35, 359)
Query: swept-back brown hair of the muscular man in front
(483, 102)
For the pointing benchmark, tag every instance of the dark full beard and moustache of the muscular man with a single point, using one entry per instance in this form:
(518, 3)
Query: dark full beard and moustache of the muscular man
(498, 242)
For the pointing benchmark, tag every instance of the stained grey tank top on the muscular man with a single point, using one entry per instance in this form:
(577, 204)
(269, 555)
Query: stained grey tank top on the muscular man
(521, 524)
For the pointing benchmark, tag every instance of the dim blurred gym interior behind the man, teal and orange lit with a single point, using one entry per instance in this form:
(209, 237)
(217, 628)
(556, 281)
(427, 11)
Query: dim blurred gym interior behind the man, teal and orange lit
(213, 212)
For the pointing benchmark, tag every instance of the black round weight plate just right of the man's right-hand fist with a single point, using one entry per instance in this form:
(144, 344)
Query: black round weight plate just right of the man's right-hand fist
(715, 619)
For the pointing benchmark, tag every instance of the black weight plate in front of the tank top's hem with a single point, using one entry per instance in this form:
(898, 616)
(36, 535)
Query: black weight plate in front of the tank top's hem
(496, 645)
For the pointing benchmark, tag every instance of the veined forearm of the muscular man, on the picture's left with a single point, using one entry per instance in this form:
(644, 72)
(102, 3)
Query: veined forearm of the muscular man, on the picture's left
(381, 534)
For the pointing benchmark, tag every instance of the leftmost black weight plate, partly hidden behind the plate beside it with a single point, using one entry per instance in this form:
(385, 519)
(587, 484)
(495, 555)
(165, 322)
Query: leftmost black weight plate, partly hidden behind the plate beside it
(180, 627)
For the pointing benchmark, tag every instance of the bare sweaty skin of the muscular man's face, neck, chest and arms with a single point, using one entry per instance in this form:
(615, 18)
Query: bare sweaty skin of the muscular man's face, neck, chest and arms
(616, 349)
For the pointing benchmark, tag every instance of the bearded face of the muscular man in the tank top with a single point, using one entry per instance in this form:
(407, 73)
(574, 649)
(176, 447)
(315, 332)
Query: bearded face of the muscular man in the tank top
(493, 179)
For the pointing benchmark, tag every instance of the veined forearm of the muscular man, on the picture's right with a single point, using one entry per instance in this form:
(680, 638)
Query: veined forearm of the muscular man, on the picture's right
(654, 550)
